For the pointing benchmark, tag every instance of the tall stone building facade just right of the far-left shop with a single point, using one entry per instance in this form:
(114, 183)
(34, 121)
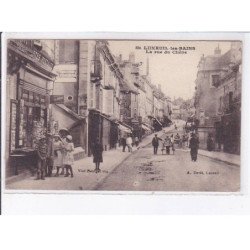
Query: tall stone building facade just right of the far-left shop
(90, 81)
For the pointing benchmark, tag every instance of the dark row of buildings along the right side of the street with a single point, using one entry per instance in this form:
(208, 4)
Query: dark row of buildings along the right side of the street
(218, 98)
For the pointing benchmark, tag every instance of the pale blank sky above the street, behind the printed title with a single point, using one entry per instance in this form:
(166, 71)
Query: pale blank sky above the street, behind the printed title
(176, 73)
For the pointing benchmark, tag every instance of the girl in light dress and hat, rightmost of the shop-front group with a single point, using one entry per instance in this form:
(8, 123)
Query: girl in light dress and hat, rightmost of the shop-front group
(69, 158)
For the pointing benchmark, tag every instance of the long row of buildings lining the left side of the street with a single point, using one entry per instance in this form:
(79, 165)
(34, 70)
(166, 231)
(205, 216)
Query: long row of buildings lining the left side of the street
(81, 86)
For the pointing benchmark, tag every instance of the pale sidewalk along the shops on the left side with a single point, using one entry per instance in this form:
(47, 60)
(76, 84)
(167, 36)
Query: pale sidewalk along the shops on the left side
(84, 176)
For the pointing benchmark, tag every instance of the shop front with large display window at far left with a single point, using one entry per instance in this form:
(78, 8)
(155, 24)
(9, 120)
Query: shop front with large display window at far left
(28, 84)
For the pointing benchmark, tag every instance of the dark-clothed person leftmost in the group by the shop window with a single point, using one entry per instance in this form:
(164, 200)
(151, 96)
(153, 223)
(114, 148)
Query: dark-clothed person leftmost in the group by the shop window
(42, 156)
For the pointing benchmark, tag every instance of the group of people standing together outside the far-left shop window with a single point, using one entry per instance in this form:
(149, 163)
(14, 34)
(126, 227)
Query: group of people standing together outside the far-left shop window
(55, 152)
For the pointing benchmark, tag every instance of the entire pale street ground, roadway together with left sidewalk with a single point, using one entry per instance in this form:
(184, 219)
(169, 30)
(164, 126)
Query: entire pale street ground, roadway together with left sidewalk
(144, 171)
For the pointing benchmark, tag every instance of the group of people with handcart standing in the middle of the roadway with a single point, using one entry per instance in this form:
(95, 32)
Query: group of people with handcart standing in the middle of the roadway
(169, 142)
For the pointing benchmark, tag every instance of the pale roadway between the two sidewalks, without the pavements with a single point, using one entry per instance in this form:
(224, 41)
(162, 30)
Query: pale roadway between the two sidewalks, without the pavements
(144, 171)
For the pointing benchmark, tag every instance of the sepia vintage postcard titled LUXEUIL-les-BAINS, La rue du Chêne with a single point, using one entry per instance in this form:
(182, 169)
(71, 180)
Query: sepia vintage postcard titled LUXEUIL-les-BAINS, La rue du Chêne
(122, 115)
